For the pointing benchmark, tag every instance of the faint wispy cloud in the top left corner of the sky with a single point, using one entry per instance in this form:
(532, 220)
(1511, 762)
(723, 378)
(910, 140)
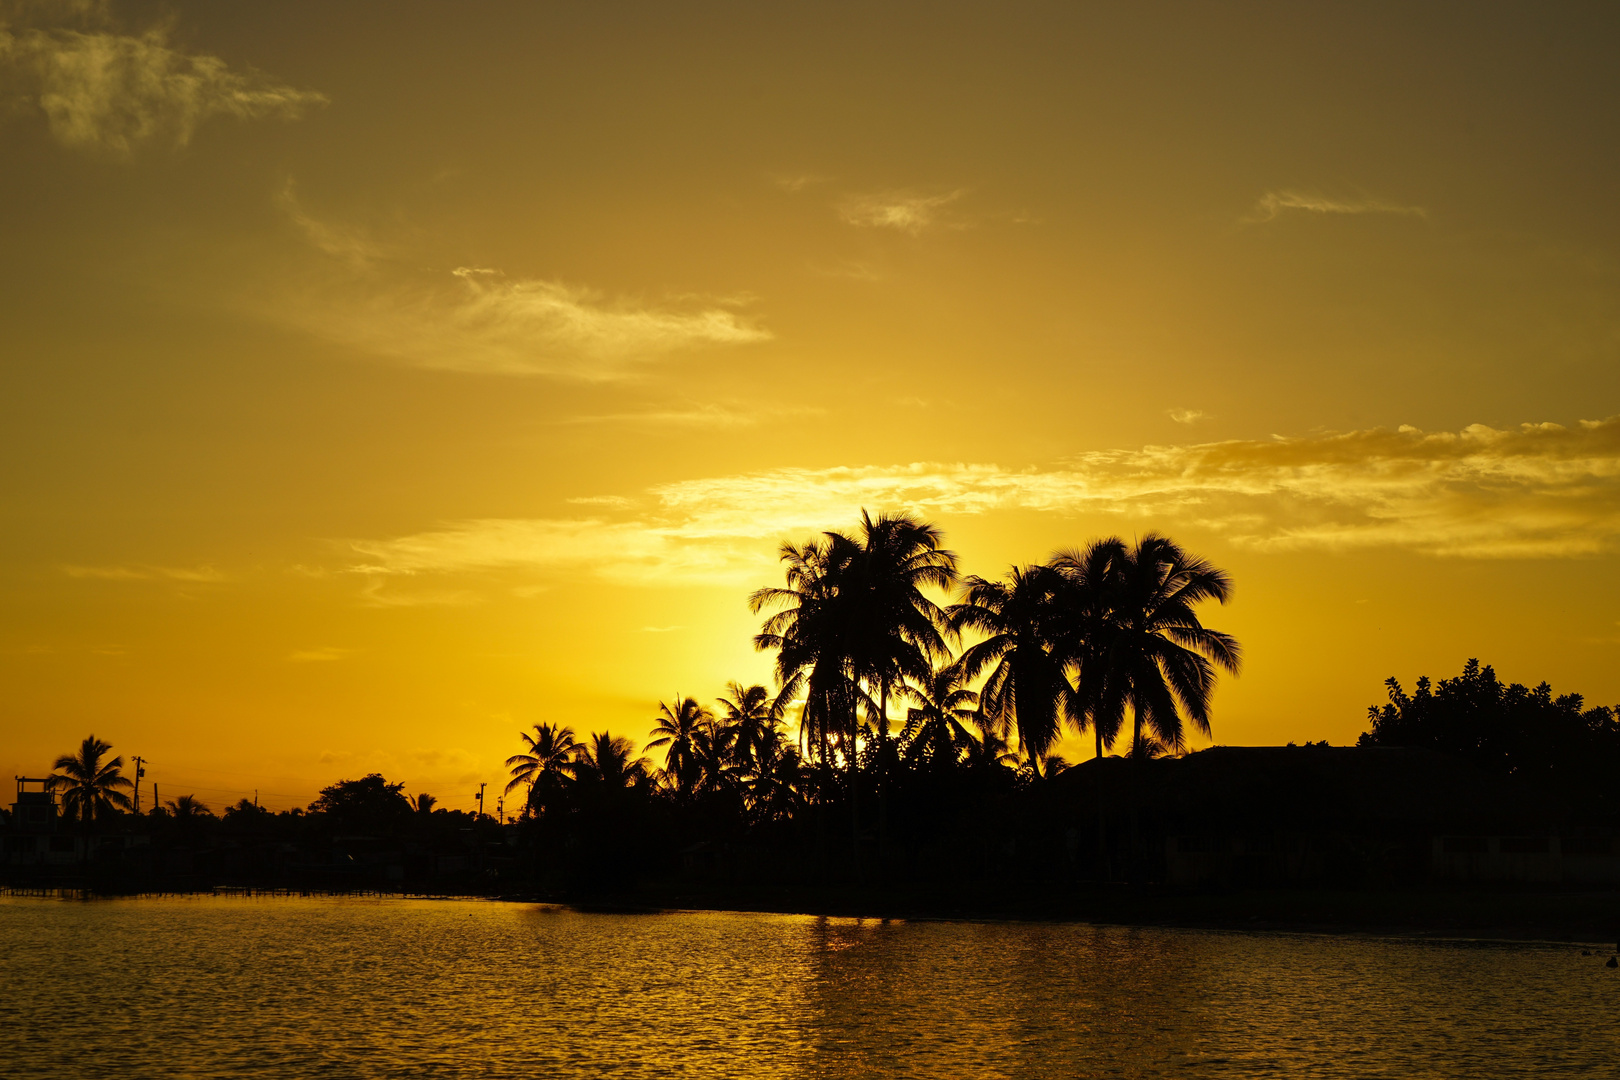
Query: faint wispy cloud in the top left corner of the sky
(109, 91)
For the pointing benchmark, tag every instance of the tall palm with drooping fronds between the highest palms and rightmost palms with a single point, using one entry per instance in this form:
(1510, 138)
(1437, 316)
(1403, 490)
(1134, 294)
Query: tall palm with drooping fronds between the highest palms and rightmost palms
(1026, 691)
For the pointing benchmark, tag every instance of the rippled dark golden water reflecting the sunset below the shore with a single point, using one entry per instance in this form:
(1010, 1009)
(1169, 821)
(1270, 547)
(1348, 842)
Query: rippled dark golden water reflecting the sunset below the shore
(294, 989)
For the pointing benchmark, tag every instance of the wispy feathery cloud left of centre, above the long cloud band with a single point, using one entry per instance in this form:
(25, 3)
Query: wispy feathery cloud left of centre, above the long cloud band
(484, 321)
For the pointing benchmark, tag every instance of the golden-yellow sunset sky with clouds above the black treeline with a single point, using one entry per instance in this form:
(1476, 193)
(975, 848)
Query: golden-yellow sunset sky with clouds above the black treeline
(378, 380)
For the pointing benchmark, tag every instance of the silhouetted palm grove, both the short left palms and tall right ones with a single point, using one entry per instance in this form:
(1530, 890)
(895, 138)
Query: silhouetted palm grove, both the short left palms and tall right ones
(1093, 640)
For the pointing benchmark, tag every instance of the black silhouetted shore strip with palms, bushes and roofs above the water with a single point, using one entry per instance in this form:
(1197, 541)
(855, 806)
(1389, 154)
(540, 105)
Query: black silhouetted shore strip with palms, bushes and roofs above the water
(902, 765)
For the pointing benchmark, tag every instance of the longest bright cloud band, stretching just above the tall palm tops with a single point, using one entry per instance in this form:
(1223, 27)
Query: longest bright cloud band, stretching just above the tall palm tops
(1538, 491)
